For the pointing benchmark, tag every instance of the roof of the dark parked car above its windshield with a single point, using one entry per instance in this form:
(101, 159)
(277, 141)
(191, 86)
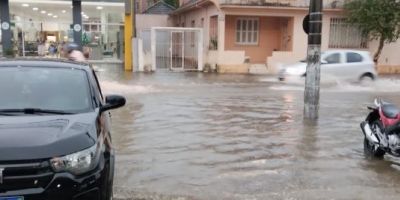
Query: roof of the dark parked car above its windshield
(43, 62)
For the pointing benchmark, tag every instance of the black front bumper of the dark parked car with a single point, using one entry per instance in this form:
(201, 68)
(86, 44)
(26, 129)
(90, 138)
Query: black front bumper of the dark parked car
(66, 186)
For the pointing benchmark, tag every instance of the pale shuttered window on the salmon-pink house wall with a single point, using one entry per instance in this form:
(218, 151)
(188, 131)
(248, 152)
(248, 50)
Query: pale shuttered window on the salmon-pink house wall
(247, 31)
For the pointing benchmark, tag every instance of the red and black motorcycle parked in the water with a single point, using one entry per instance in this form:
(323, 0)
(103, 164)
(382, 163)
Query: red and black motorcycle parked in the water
(381, 129)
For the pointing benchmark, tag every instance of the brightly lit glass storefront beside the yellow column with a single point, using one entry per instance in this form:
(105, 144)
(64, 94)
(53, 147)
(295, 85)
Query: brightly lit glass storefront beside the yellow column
(42, 27)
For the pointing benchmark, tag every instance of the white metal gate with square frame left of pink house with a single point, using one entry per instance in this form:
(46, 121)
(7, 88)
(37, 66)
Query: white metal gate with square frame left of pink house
(177, 49)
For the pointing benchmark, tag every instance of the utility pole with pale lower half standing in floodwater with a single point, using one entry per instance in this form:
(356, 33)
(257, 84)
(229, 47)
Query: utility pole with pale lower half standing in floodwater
(311, 92)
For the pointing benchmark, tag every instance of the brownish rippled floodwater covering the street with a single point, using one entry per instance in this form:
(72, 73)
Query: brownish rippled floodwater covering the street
(207, 136)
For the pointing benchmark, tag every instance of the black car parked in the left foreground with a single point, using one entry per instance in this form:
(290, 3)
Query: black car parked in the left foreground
(55, 136)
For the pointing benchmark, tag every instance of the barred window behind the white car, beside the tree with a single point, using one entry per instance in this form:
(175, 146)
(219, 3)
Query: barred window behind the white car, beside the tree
(345, 35)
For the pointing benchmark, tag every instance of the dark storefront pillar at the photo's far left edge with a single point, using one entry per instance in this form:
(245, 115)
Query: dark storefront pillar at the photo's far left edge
(6, 37)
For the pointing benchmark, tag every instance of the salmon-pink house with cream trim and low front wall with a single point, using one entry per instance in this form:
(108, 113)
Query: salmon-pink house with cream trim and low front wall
(243, 34)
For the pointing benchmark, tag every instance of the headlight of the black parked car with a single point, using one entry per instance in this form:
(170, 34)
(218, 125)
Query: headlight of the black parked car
(76, 163)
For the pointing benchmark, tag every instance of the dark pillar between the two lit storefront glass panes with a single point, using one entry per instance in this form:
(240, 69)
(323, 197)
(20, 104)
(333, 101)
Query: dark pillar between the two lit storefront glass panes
(77, 21)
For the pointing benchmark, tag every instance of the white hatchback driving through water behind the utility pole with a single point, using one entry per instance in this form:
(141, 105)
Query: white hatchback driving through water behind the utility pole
(351, 65)
